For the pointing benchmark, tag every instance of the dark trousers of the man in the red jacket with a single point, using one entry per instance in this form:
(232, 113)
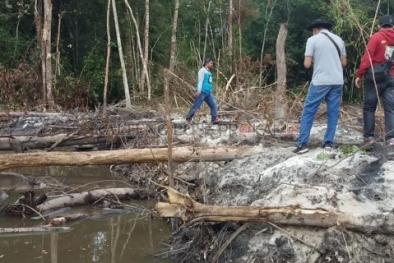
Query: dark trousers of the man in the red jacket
(386, 91)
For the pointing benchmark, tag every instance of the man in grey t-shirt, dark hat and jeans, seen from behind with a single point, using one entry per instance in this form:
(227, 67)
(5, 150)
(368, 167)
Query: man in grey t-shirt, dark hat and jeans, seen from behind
(326, 52)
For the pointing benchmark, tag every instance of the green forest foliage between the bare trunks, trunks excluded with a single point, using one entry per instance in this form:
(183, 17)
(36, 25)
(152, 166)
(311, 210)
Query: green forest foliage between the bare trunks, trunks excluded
(83, 42)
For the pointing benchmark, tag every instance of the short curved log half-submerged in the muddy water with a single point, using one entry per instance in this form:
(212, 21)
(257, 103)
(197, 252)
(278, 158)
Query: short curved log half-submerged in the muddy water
(88, 197)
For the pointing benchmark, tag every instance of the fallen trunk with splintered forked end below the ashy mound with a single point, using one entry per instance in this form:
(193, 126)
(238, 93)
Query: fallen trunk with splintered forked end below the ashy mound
(184, 207)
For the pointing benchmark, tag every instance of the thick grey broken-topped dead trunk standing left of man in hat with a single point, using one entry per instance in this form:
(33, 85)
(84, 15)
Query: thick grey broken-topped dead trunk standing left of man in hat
(280, 94)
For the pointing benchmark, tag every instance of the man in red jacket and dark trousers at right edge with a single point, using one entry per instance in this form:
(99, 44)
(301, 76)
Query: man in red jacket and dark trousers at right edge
(379, 49)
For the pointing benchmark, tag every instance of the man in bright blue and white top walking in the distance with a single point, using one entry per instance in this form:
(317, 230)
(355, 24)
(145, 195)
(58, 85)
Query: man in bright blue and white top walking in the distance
(204, 93)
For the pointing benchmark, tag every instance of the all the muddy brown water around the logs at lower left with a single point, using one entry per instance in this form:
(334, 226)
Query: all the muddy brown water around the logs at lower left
(114, 239)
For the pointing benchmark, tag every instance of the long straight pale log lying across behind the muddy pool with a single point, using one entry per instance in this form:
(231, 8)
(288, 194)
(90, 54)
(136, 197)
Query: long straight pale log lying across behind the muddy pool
(181, 154)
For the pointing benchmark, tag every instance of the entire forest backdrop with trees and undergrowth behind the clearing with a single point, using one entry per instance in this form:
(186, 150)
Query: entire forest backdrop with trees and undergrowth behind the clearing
(84, 53)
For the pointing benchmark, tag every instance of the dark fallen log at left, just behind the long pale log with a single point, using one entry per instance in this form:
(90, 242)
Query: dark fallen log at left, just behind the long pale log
(8, 143)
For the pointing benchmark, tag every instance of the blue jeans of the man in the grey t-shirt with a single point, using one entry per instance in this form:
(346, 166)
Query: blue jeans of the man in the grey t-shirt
(332, 94)
